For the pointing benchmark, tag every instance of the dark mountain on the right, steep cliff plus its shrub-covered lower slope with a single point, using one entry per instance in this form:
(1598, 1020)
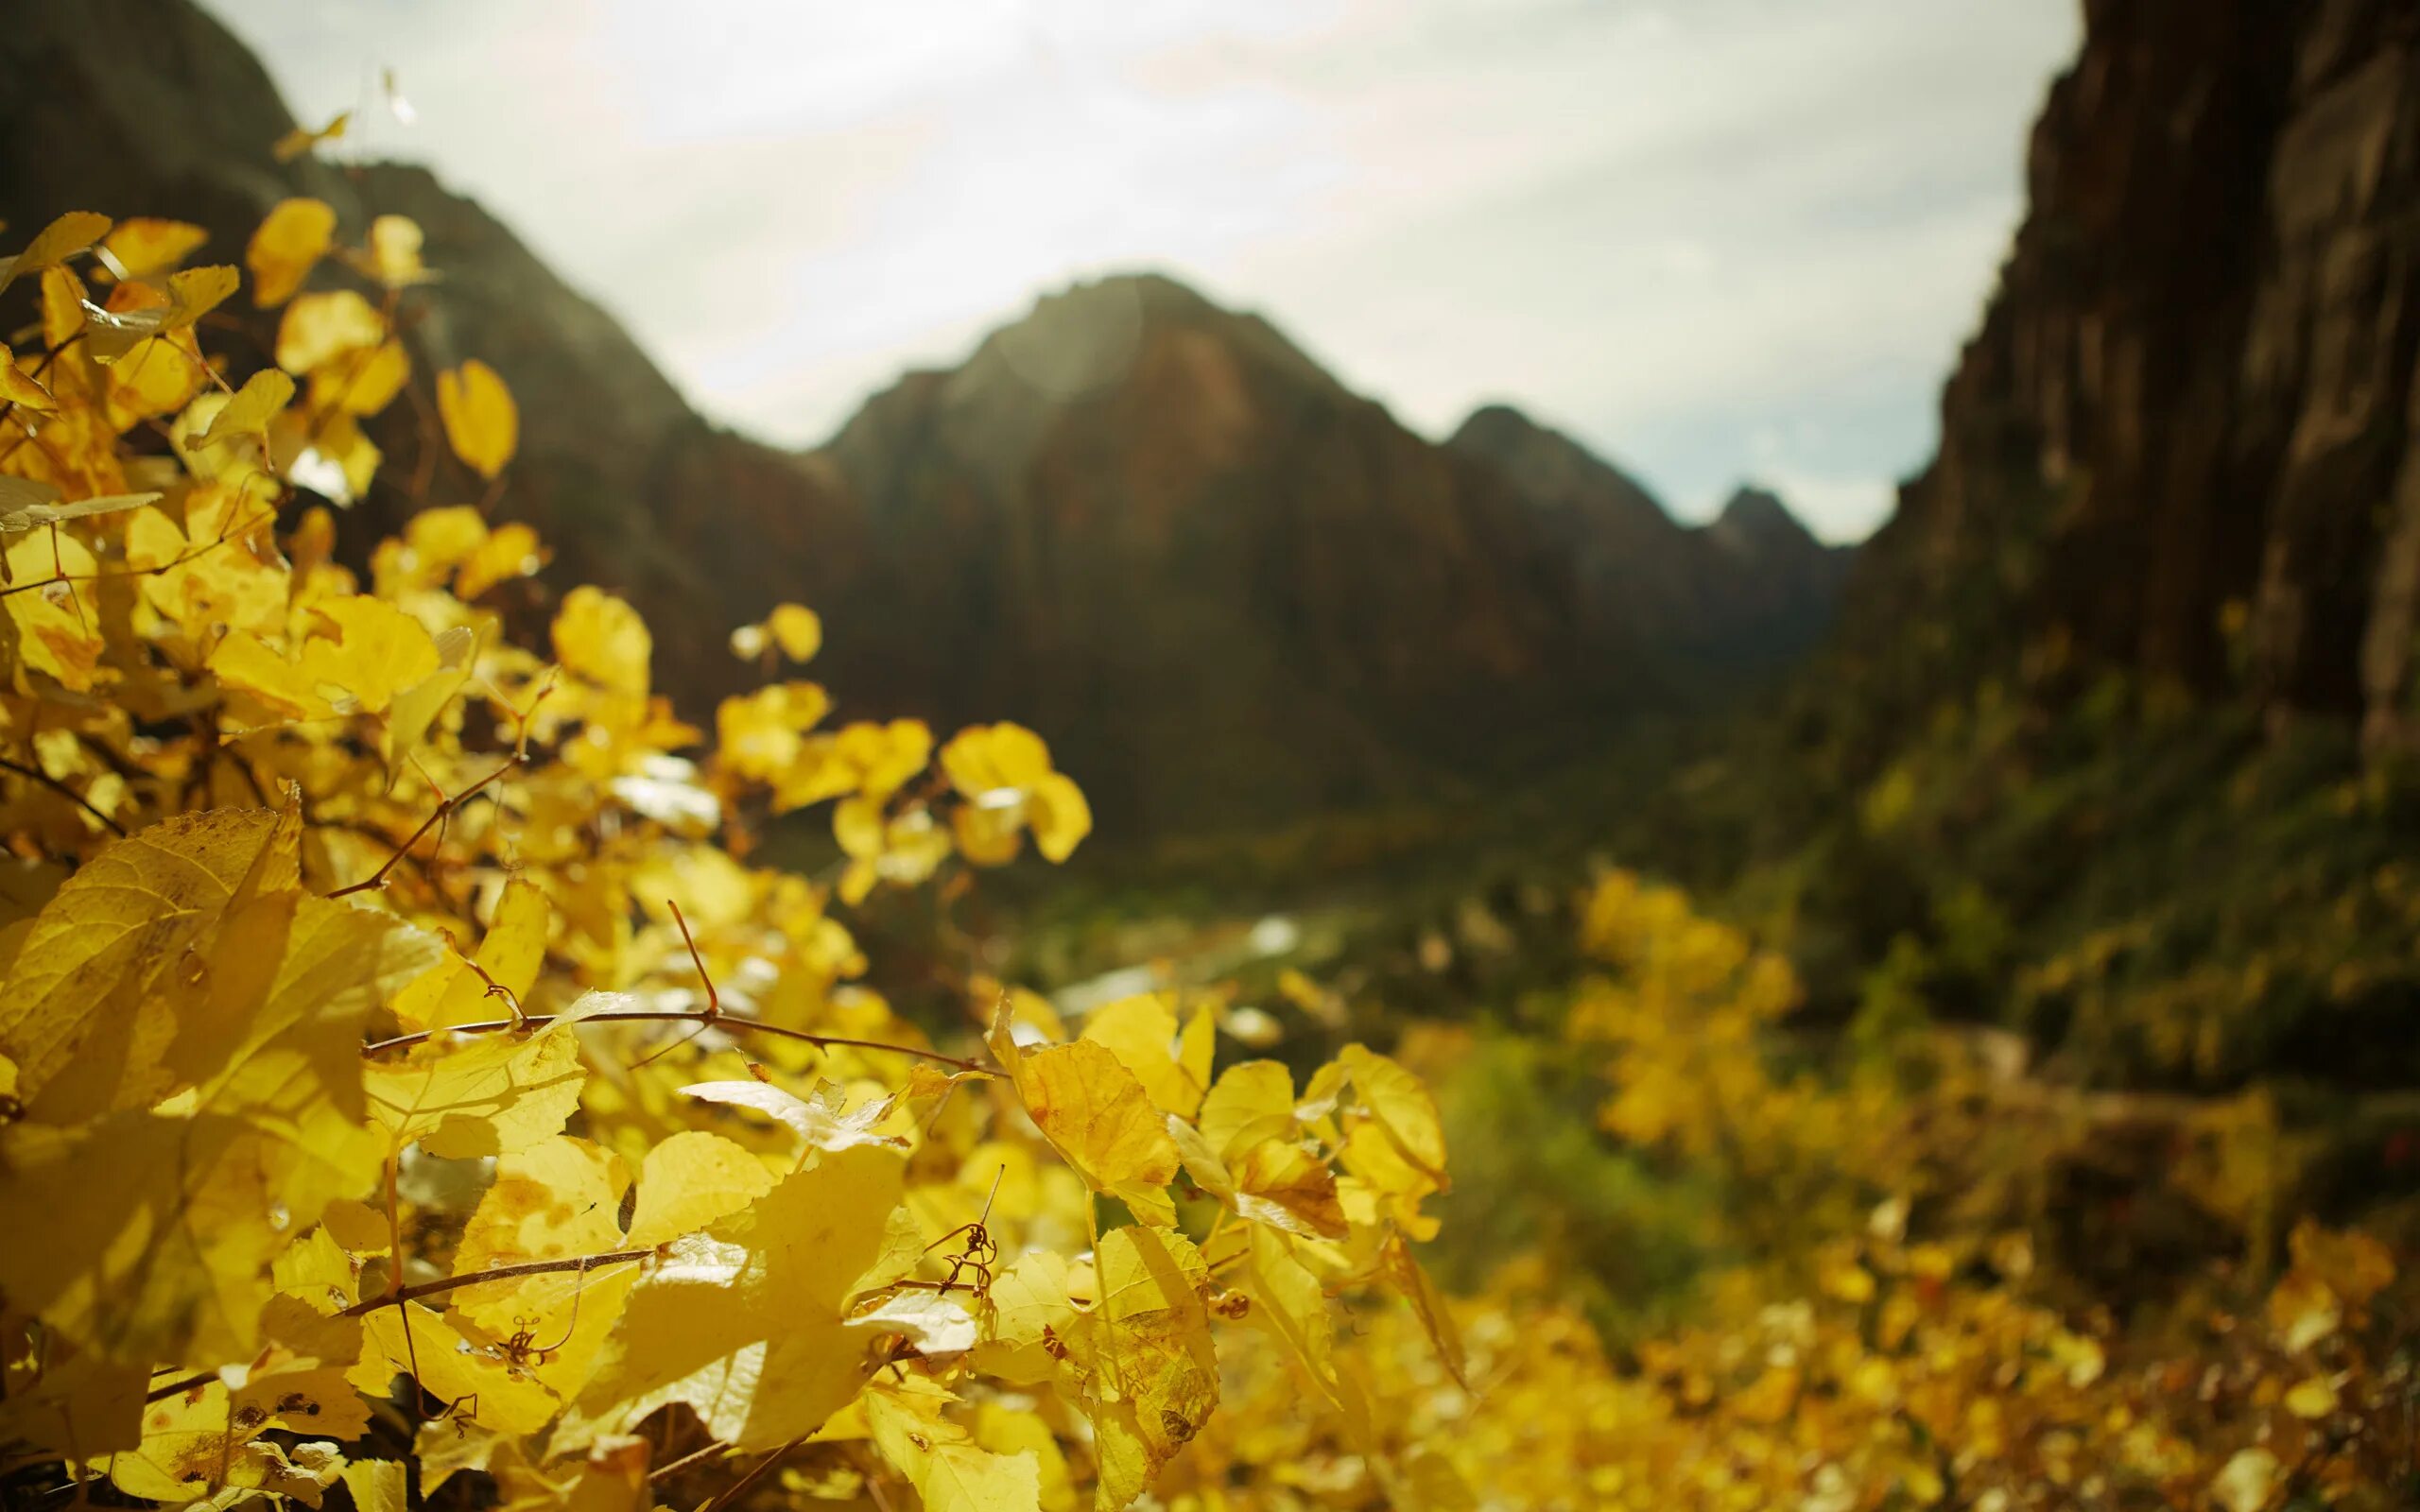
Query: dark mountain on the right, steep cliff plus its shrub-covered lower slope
(2111, 744)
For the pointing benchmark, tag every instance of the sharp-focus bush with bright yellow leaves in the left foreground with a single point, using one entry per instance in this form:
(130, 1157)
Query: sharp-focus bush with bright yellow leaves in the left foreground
(403, 1087)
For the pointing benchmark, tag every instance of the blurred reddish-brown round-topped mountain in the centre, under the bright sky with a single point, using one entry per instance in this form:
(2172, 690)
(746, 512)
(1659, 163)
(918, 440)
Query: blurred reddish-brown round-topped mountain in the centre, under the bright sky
(1163, 533)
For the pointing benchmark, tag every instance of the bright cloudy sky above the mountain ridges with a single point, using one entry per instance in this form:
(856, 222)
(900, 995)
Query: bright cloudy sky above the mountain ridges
(1712, 238)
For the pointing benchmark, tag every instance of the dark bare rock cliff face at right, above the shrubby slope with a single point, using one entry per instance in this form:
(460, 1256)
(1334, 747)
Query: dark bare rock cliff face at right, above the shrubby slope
(2189, 410)
